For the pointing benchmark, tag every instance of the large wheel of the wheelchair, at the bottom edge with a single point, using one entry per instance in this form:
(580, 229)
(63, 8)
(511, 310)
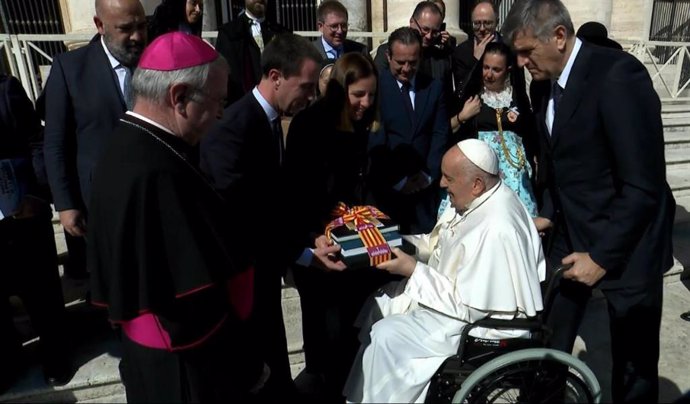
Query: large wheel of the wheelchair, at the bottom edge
(536, 375)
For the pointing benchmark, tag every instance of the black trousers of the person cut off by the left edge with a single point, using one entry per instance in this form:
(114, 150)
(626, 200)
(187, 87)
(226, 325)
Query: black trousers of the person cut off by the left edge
(29, 270)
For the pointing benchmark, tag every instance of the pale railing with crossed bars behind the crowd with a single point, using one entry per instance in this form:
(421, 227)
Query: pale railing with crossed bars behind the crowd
(25, 59)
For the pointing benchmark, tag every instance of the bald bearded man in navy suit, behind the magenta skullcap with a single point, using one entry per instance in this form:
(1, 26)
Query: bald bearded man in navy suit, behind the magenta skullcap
(86, 94)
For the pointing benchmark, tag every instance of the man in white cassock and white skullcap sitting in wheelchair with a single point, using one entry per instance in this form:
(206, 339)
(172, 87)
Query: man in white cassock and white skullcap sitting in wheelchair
(483, 259)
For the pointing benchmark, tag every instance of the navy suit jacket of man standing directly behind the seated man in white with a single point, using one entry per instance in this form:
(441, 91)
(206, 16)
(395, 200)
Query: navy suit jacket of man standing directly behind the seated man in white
(400, 149)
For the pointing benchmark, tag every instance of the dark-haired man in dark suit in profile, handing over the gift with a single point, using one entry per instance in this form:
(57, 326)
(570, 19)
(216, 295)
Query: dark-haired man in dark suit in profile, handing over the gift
(242, 157)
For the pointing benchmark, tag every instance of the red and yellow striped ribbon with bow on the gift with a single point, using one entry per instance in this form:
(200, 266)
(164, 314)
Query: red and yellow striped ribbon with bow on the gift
(363, 220)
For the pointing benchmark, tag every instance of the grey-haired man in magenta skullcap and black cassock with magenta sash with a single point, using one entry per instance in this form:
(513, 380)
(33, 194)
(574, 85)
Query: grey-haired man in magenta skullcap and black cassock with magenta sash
(161, 247)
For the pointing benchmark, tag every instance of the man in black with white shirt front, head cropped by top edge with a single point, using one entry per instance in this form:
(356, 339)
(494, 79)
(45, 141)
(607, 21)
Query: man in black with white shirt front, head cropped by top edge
(241, 42)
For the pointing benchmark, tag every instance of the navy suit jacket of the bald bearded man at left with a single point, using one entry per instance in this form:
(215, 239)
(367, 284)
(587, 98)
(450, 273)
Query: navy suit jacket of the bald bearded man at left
(83, 104)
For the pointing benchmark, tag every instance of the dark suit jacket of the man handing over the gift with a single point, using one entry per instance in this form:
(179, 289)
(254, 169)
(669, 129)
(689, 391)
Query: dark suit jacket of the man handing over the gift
(240, 156)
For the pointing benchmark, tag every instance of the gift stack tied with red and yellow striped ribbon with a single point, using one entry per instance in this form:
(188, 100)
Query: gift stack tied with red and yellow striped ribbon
(365, 234)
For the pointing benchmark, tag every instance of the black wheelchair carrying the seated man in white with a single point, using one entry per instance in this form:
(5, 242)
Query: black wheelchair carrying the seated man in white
(514, 370)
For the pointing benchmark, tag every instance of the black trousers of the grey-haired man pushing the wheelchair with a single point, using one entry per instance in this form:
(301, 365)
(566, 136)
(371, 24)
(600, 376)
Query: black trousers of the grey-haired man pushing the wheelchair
(635, 321)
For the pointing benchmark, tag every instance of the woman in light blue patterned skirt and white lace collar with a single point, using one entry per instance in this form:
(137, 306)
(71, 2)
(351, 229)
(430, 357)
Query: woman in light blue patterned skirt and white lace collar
(497, 117)
